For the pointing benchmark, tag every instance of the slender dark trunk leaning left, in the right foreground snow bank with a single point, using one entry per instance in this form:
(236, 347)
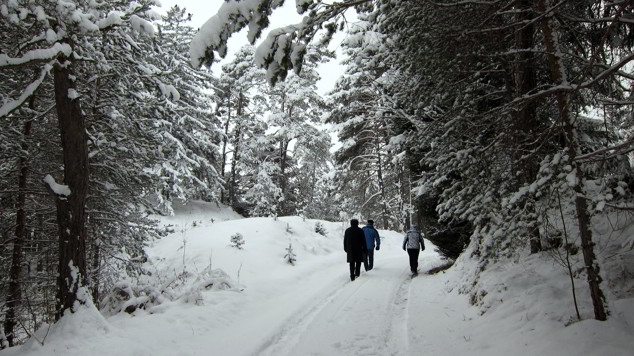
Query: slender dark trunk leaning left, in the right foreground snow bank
(558, 74)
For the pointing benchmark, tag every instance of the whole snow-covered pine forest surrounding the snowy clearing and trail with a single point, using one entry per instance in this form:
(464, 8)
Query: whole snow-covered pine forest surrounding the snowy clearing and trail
(501, 124)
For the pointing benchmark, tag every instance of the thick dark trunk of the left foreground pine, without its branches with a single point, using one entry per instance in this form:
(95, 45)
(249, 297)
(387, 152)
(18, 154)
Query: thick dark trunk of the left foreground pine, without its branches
(71, 217)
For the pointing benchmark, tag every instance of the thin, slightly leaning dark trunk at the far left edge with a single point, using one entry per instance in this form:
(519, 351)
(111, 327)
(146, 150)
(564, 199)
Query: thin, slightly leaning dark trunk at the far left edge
(15, 289)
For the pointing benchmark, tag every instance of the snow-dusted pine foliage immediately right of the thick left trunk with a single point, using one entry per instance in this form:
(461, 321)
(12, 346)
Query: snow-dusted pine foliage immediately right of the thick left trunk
(121, 146)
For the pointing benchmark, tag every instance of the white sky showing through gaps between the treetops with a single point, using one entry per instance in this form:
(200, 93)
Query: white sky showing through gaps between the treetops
(202, 10)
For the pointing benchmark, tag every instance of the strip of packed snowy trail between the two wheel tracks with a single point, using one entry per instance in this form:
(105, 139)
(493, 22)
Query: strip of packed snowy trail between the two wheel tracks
(365, 317)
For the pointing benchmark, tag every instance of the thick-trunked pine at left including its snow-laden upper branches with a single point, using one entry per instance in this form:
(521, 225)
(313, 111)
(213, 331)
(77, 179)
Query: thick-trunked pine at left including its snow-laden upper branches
(47, 30)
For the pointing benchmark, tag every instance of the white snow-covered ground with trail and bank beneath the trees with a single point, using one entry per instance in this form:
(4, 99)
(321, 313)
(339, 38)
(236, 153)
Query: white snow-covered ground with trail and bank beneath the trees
(268, 307)
